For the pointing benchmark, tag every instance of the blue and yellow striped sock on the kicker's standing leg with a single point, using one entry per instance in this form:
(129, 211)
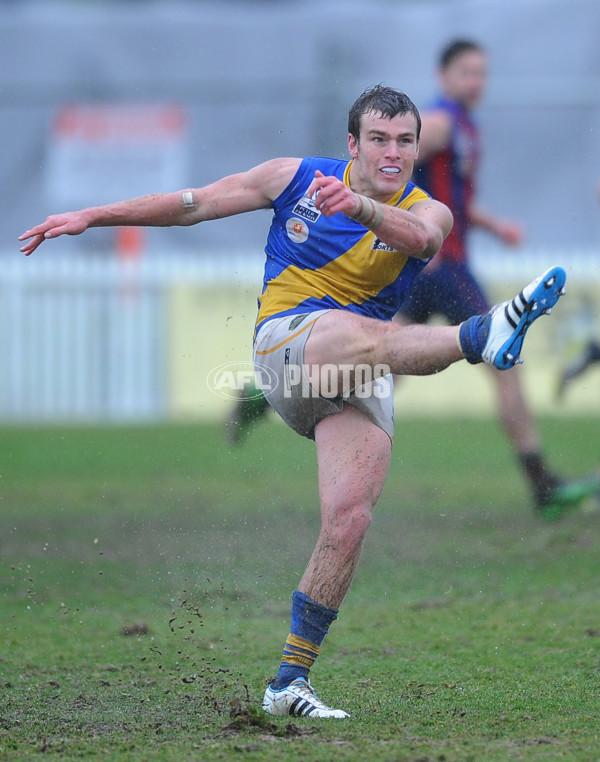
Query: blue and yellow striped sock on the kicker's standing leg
(310, 624)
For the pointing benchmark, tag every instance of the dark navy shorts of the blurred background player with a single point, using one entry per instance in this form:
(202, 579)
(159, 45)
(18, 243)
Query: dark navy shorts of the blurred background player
(449, 290)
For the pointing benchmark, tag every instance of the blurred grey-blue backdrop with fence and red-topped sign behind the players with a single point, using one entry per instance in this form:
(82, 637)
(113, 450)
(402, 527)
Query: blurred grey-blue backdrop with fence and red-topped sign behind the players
(106, 100)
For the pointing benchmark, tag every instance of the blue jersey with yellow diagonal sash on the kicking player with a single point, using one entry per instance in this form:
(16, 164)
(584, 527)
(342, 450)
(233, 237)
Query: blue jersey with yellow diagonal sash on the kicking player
(316, 262)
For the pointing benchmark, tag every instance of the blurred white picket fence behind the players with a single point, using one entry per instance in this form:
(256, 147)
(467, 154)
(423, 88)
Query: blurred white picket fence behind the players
(85, 339)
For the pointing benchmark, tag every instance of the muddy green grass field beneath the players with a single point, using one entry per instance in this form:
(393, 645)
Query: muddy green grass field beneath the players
(146, 580)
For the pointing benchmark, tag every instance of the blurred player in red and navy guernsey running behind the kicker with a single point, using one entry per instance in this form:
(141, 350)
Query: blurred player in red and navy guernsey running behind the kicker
(449, 154)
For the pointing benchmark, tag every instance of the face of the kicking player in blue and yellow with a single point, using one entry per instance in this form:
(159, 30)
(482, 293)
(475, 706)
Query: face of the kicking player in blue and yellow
(384, 156)
